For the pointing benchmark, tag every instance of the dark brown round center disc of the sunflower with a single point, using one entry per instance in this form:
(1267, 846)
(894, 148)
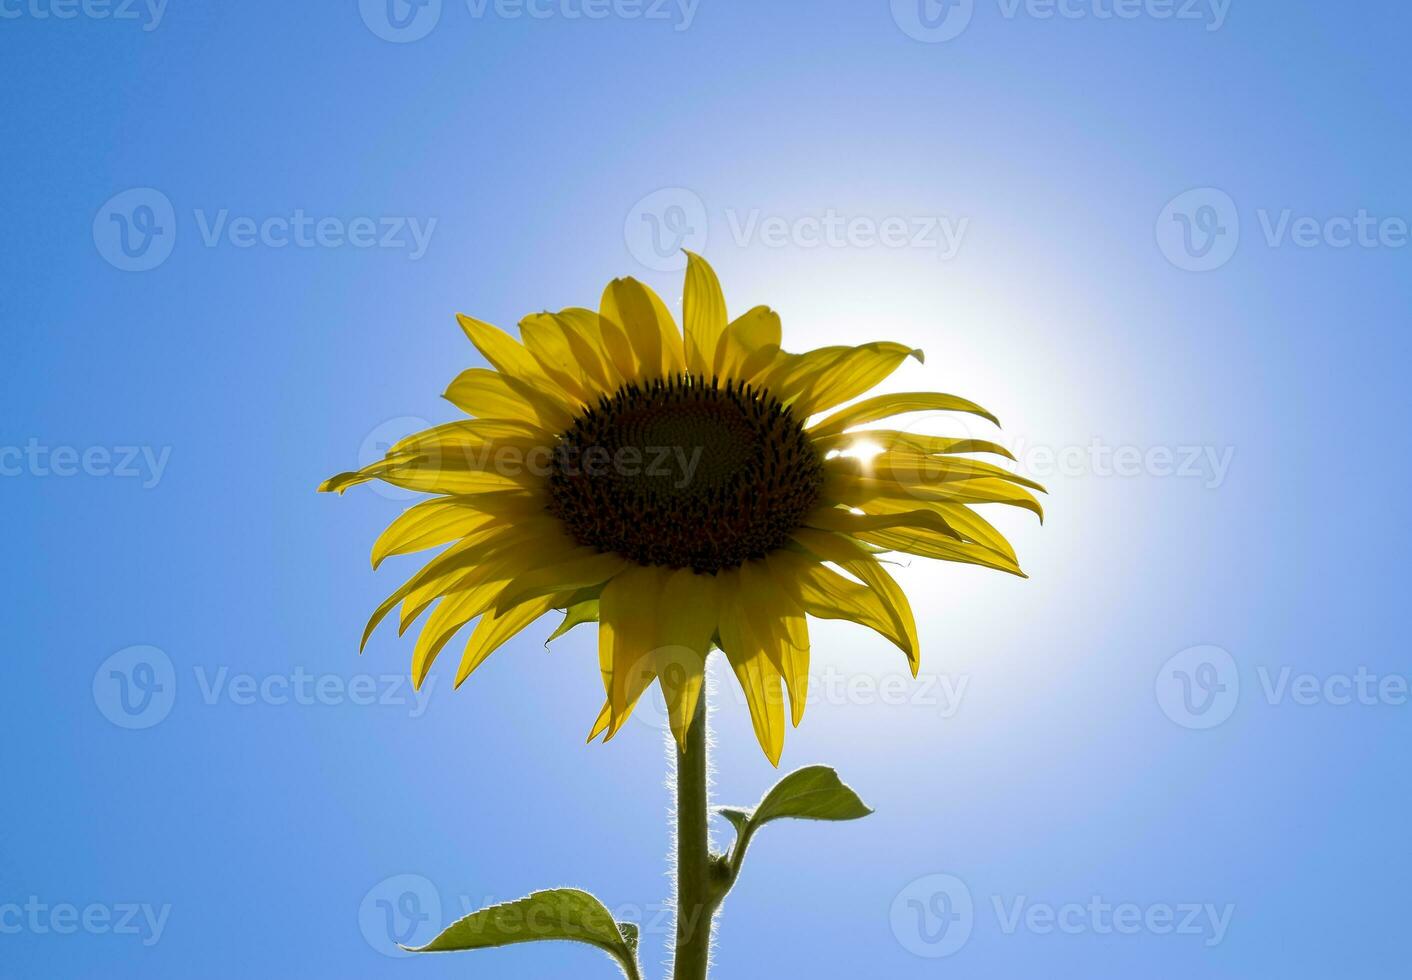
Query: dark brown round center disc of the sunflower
(686, 474)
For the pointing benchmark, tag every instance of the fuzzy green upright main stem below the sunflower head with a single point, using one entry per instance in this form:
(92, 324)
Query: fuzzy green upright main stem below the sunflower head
(697, 896)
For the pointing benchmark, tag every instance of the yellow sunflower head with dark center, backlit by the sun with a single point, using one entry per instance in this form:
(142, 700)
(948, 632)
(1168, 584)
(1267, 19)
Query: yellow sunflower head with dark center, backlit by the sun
(687, 491)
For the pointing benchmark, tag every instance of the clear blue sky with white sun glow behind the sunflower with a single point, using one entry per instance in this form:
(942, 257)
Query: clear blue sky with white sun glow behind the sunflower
(1167, 242)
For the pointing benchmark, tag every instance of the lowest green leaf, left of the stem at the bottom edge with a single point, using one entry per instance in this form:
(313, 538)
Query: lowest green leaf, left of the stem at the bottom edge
(558, 914)
